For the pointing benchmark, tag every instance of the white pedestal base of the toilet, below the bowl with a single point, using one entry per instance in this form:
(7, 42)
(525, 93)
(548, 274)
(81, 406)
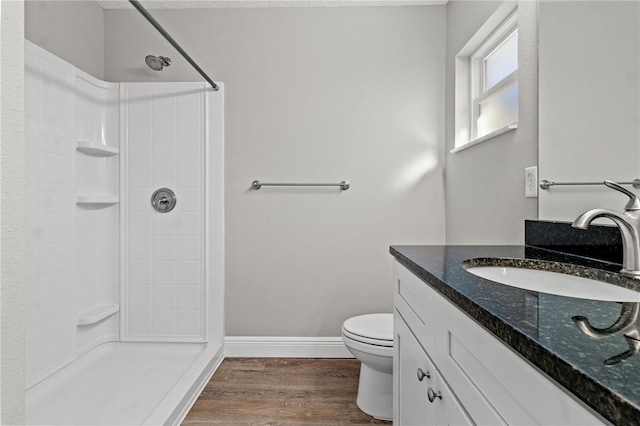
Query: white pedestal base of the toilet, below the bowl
(375, 393)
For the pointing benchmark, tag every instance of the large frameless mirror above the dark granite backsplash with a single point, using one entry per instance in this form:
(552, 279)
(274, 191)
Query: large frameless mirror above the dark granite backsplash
(589, 103)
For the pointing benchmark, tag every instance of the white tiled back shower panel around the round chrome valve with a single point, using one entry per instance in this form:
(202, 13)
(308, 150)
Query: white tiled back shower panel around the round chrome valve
(164, 283)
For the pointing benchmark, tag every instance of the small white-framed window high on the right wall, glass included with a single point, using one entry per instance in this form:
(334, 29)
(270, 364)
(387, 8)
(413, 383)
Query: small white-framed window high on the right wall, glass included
(487, 81)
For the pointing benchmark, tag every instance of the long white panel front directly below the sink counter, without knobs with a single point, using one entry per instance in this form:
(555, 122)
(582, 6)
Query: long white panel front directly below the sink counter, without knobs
(494, 383)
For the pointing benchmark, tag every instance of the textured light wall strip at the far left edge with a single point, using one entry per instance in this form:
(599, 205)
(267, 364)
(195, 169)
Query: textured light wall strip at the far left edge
(12, 232)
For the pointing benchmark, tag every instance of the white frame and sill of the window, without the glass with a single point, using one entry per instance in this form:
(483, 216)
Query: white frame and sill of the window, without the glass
(469, 75)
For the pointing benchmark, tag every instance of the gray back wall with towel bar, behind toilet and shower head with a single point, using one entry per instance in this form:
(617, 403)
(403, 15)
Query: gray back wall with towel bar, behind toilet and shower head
(312, 94)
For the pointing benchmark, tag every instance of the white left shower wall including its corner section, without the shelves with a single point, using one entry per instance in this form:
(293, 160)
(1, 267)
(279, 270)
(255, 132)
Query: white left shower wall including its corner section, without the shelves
(71, 251)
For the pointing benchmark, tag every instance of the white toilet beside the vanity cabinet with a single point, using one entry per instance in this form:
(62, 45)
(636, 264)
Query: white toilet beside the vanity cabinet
(370, 339)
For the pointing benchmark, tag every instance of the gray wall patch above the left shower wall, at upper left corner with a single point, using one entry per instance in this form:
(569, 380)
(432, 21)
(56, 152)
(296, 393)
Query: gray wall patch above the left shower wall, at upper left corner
(72, 30)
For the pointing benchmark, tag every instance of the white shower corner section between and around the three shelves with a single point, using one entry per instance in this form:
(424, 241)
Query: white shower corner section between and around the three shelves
(97, 227)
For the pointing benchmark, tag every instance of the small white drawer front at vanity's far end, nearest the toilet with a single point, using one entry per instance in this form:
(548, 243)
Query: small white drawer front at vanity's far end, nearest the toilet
(414, 300)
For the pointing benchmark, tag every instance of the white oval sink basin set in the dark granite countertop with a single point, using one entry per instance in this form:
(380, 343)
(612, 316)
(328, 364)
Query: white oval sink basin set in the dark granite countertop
(555, 283)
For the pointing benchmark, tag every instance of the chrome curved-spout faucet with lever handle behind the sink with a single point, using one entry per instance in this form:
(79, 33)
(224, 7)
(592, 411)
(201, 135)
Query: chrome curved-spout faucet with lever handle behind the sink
(629, 224)
